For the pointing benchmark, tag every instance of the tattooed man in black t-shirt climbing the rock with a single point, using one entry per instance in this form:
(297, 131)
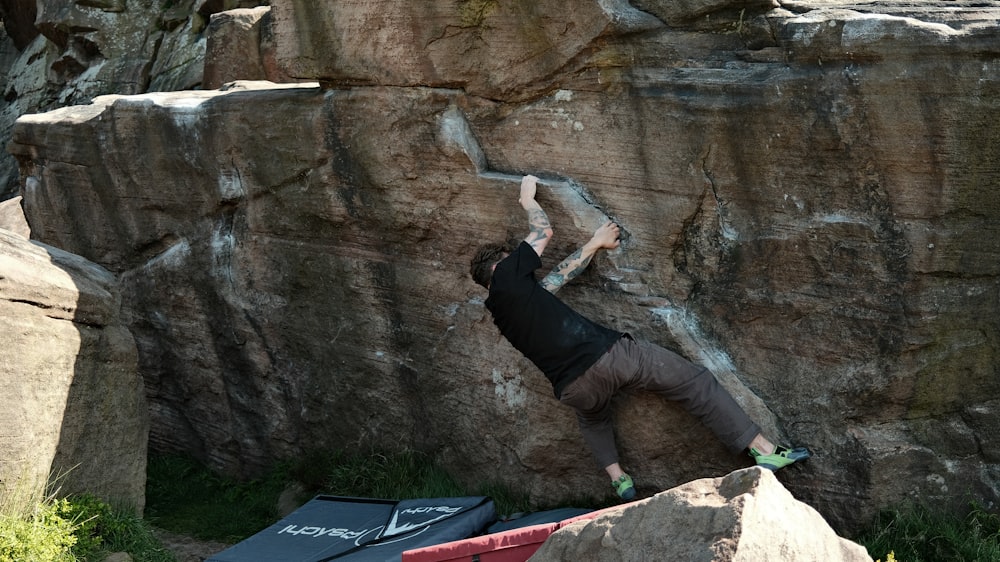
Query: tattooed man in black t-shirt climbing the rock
(587, 363)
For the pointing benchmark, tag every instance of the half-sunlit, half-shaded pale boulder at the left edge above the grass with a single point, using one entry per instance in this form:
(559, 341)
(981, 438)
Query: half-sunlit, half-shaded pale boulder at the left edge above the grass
(71, 401)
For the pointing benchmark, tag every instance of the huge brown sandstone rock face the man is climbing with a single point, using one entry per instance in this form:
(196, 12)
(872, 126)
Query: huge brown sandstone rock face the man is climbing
(809, 209)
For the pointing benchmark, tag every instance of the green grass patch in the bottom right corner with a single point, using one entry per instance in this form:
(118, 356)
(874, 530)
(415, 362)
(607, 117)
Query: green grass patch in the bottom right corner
(919, 534)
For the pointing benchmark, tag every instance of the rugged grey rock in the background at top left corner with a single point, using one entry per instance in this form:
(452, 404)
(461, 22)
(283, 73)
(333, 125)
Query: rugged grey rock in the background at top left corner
(61, 52)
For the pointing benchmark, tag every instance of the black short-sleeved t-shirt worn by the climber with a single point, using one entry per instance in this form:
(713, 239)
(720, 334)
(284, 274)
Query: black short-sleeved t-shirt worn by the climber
(559, 341)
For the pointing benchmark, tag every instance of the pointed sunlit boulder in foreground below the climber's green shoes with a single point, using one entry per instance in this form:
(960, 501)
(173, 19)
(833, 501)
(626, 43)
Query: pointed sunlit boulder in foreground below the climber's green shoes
(747, 516)
